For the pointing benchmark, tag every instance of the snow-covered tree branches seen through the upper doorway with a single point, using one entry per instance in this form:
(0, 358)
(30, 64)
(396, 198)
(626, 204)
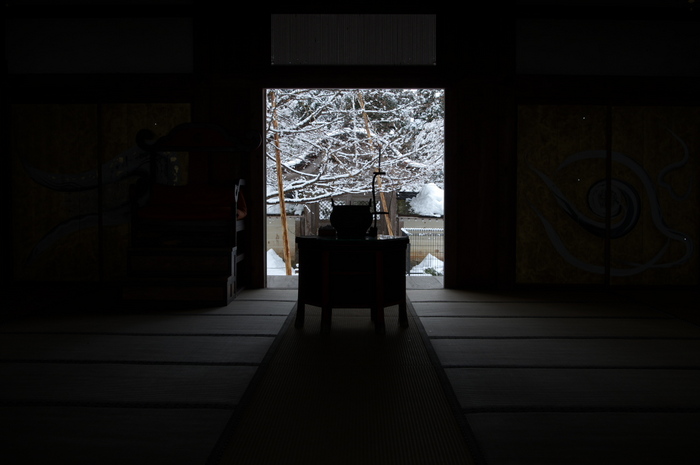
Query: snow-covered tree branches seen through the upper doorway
(331, 141)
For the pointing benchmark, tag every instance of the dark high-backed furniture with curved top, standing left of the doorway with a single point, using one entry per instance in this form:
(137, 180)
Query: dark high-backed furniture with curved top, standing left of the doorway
(186, 238)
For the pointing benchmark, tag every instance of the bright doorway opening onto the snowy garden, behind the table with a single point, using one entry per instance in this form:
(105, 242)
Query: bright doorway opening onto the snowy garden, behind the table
(324, 146)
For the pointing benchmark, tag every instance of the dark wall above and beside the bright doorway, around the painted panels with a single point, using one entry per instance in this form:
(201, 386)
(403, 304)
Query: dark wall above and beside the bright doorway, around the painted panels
(489, 63)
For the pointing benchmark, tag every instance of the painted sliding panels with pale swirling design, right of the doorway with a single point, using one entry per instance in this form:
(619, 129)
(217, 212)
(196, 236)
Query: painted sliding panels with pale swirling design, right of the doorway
(562, 181)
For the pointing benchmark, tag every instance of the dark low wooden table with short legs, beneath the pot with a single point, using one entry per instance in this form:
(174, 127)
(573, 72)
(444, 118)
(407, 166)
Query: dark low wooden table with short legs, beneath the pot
(352, 273)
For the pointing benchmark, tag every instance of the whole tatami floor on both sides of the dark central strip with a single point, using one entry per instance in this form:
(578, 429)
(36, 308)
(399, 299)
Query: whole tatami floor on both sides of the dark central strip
(539, 377)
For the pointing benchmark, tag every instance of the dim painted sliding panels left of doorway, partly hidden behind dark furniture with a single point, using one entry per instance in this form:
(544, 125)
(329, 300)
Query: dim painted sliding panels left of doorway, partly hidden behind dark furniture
(73, 167)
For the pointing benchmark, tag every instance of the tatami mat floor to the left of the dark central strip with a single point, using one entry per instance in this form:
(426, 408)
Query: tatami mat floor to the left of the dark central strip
(127, 387)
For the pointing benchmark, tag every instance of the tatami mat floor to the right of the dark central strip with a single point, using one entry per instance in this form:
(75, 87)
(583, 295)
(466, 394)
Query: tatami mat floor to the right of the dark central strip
(567, 378)
